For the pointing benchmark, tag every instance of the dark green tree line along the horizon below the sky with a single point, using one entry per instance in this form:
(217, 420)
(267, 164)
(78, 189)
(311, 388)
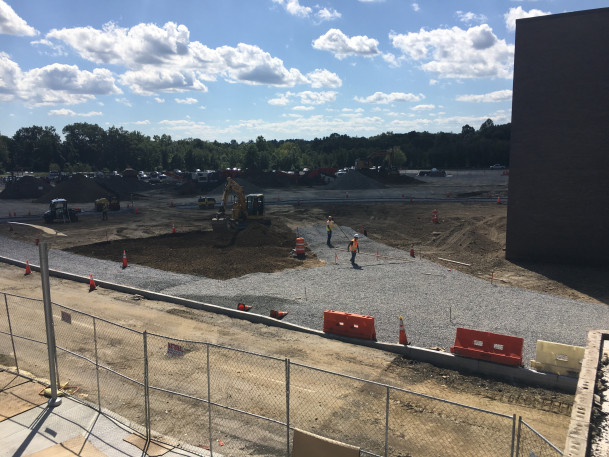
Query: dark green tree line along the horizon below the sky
(88, 147)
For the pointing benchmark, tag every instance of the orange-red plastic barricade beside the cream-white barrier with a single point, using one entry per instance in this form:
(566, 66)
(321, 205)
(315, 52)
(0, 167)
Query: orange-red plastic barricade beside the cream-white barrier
(494, 347)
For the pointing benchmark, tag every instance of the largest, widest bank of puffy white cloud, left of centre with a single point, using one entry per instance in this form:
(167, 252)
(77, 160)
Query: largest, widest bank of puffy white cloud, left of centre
(163, 59)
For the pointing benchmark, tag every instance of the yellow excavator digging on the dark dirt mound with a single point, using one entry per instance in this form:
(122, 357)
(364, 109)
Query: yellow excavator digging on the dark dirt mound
(245, 207)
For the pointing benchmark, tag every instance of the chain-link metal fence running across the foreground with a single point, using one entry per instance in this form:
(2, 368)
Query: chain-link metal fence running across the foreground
(211, 399)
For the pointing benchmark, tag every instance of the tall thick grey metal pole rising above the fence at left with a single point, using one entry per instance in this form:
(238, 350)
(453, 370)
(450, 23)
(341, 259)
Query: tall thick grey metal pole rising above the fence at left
(48, 319)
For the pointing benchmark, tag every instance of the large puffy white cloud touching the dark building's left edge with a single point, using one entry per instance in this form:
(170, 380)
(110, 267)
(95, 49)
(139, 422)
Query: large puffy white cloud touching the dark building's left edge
(457, 53)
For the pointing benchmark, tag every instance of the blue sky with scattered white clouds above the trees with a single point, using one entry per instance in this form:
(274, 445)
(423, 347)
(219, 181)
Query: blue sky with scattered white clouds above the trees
(283, 69)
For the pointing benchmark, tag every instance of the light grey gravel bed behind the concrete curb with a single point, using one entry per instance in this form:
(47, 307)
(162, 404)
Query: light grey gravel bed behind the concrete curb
(433, 300)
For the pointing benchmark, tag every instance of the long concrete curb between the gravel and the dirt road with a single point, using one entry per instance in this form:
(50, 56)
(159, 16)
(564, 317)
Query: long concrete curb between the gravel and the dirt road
(437, 358)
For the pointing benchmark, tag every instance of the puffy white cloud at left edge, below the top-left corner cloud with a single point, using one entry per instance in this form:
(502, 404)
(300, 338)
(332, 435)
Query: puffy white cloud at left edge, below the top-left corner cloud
(53, 84)
